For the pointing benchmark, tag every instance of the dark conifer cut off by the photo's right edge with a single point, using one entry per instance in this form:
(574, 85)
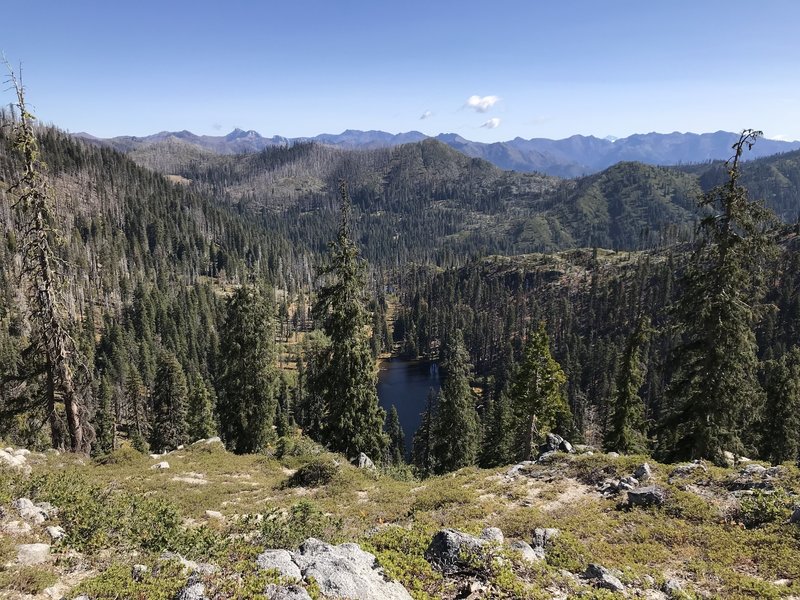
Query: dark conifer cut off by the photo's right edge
(781, 441)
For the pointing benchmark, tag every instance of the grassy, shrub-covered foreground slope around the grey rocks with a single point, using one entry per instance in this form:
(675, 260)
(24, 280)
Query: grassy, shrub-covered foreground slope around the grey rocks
(718, 534)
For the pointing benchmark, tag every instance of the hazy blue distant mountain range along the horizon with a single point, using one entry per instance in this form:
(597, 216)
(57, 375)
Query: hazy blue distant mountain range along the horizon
(570, 157)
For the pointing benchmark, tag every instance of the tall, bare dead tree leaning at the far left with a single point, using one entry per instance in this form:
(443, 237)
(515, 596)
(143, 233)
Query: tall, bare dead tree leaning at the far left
(42, 278)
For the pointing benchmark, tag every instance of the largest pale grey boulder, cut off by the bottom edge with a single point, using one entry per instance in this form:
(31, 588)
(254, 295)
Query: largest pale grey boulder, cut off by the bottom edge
(346, 571)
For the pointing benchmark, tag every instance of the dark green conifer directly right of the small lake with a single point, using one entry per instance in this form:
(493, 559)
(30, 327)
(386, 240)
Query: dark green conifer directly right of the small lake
(457, 428)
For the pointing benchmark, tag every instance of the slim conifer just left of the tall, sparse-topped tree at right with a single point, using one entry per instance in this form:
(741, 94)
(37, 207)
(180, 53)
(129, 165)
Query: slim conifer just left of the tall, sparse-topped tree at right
(626, 430)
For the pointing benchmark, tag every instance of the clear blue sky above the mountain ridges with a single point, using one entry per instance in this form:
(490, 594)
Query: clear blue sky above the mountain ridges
(533, 68)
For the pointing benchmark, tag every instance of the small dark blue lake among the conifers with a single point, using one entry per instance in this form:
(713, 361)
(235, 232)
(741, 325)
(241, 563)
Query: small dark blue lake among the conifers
(405, 383)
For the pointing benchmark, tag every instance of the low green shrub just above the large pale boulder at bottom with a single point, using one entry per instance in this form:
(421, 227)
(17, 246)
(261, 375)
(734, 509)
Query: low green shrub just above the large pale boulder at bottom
(288, 529)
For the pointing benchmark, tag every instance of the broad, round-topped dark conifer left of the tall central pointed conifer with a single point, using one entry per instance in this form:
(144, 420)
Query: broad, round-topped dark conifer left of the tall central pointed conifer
(247, 377)
